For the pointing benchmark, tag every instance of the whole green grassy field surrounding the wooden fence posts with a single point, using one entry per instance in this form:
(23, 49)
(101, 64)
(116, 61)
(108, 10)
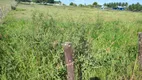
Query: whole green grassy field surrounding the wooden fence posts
(105, 43)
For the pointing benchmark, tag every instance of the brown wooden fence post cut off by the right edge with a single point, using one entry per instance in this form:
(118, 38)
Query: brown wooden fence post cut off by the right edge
(140, 50)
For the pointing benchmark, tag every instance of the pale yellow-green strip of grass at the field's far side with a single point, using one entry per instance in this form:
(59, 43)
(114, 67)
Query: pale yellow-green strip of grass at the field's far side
(59, 12)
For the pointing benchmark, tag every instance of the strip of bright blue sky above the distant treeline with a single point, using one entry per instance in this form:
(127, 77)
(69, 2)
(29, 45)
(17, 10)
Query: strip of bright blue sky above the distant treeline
(99, 1)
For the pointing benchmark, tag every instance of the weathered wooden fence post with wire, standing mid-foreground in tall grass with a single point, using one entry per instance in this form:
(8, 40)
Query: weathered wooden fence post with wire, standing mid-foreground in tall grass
(68, 52)
